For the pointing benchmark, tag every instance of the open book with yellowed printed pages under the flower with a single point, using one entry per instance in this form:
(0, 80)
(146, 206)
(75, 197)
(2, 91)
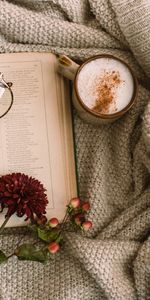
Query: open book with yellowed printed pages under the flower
(36, 136)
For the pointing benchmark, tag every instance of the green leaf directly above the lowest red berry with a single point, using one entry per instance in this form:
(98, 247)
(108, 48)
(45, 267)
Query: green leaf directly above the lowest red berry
(48, 235)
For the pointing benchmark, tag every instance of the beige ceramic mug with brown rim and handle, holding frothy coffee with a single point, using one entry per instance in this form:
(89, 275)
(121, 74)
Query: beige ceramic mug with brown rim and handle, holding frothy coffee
(72, 71)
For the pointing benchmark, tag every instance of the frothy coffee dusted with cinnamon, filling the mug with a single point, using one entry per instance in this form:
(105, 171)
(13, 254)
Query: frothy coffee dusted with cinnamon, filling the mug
(105, 85)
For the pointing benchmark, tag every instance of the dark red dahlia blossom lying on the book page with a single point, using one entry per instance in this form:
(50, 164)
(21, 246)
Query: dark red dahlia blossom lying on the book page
(22, 195)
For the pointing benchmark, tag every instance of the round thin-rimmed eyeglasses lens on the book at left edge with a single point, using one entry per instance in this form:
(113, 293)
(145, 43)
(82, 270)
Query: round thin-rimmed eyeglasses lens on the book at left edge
(6, 96)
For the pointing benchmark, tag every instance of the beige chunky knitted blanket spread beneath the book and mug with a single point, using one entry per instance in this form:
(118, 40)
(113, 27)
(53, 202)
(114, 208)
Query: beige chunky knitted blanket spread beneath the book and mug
(113, 161)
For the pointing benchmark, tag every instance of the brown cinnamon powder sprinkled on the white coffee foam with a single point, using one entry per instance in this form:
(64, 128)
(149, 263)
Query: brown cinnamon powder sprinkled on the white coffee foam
(105, 91)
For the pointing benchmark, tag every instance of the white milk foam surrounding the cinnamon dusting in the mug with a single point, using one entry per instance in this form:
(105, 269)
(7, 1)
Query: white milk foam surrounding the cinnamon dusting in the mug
(92, 71)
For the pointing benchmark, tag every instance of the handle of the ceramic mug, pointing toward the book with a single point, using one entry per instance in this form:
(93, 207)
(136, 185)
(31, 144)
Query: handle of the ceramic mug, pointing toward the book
(67, 67)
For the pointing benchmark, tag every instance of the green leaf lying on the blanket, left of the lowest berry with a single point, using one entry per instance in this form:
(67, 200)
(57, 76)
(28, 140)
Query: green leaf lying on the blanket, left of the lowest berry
(30, 252)
